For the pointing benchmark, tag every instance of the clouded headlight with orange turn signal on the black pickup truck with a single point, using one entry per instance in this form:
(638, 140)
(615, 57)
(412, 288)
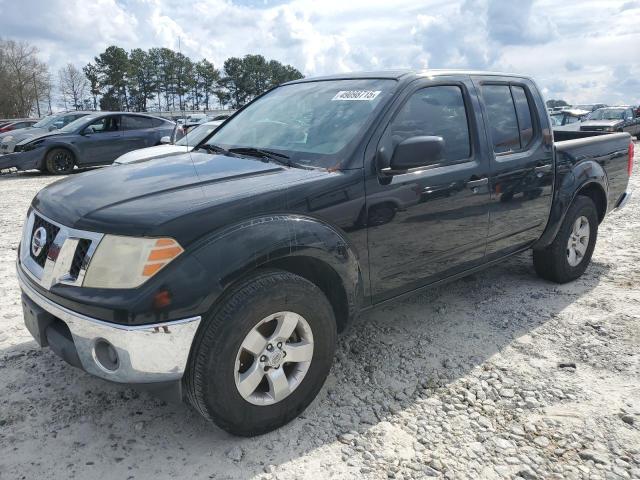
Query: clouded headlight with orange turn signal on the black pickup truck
(128, 262)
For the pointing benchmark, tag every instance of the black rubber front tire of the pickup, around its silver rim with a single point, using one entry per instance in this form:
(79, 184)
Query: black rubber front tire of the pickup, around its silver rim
(212, 374)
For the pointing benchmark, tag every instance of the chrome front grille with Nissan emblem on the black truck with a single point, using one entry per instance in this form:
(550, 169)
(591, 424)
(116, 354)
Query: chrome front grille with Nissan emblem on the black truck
(56, 270)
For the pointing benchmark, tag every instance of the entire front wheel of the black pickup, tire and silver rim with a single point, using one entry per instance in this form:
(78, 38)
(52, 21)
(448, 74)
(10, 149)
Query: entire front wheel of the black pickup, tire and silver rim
(263, 354)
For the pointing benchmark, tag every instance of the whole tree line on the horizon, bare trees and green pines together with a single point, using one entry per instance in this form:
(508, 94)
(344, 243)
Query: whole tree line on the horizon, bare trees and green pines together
(157, 79)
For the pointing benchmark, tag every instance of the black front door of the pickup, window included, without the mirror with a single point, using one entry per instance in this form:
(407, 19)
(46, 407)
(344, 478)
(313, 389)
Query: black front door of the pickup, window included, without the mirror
(430, 222)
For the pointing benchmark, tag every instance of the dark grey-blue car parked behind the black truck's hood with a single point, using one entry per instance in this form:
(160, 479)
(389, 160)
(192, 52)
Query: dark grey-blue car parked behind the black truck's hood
(96, 139)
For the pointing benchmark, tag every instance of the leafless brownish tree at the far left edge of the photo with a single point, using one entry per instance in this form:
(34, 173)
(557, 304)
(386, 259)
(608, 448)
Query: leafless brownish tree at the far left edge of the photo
(22, 77)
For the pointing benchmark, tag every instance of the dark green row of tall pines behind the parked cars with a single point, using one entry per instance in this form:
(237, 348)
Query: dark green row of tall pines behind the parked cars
(163, 79)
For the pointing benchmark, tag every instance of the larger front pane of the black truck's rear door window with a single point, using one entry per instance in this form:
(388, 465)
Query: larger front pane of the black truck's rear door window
(502, 117)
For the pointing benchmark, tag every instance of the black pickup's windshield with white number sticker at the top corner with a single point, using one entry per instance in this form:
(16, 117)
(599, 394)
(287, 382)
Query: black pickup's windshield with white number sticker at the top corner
(309, 122)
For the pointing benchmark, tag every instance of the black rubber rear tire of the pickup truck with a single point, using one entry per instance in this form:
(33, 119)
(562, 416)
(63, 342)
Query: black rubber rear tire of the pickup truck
(554, 262)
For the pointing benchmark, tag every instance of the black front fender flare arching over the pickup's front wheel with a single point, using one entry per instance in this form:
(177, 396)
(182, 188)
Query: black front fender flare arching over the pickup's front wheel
(236, 250)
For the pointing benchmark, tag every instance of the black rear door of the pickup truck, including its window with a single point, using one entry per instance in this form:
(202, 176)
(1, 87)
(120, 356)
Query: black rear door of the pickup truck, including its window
(522, 168)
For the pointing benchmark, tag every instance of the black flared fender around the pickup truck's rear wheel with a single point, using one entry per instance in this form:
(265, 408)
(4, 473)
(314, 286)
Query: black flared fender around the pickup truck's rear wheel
(572, 175)
